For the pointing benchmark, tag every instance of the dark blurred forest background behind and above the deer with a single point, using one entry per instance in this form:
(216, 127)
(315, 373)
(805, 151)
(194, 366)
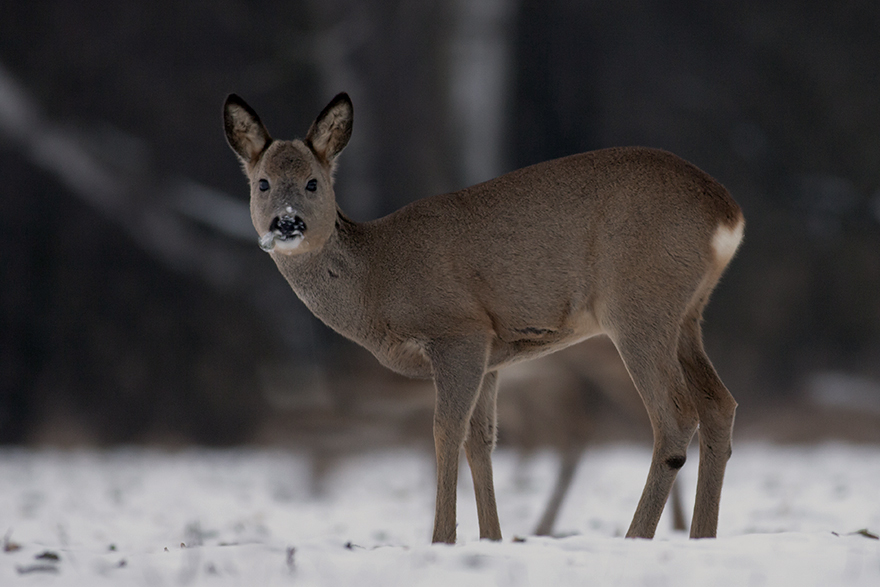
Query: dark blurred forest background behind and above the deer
(137, 306)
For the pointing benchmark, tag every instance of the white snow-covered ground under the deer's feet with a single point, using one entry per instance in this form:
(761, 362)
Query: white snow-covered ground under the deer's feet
(790, 516)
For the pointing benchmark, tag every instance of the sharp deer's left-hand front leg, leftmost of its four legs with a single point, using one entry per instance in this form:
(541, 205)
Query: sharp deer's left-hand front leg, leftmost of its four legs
(459, 367)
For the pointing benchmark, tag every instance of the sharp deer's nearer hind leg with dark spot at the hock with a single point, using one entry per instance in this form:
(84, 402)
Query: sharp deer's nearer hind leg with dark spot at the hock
(650, 359)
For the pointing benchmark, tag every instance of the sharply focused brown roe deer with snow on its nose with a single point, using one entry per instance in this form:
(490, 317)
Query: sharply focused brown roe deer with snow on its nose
(628, 242)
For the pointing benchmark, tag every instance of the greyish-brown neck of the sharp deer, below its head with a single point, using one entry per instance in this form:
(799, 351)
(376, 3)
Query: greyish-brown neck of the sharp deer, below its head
(330, 281)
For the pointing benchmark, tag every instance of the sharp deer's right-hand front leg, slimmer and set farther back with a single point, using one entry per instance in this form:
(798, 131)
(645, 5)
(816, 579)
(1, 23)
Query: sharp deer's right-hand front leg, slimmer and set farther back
(478, 447)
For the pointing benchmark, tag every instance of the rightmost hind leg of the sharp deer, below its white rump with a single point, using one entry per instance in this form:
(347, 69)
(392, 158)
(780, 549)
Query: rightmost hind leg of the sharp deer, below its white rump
(716, 408)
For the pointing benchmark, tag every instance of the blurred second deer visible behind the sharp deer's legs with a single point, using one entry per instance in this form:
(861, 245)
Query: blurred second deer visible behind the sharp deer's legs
(576, 384)
